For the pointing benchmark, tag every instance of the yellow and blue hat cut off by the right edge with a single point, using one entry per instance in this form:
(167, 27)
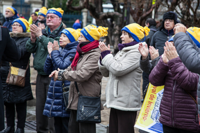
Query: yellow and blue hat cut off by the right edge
(194, 33)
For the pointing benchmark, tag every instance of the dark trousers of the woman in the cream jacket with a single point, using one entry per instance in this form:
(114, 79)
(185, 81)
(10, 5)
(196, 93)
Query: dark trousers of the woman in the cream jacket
(122, 121)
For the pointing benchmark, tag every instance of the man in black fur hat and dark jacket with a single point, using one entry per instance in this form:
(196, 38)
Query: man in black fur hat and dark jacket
(165, 32)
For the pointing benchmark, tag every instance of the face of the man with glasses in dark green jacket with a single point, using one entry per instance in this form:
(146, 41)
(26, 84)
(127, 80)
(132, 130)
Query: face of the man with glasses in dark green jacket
(53, 20)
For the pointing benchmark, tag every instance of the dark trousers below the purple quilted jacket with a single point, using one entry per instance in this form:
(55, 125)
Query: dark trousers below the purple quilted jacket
(167, 129)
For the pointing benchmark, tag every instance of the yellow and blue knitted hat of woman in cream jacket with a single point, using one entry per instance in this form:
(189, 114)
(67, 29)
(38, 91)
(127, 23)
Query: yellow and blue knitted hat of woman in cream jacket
(136, 31)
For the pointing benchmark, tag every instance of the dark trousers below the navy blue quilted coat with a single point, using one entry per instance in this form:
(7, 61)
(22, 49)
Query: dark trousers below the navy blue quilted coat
(61, 124)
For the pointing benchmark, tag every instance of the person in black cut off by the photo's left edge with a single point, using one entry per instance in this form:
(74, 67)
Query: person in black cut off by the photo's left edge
(8, 52)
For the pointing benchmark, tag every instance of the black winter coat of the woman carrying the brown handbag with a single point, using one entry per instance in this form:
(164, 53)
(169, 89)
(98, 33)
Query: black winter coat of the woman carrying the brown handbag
(12, 93)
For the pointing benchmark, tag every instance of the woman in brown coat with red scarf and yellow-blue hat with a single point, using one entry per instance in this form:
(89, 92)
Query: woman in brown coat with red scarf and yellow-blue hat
(84, 73)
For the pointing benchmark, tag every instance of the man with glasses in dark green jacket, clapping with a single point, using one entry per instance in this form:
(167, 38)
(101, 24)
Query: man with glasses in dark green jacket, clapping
(38, 45)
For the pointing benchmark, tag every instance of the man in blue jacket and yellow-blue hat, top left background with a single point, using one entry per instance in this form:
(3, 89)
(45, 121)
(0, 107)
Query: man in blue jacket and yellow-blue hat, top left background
(10, 15)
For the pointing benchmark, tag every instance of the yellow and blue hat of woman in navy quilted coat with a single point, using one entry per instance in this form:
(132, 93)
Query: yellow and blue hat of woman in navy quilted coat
(71, 33)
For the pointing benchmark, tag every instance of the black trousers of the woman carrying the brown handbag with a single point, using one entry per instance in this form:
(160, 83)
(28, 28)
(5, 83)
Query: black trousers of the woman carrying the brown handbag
(21, 114)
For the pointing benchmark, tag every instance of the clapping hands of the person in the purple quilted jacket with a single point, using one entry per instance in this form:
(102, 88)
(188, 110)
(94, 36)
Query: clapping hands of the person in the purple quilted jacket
(170, 51)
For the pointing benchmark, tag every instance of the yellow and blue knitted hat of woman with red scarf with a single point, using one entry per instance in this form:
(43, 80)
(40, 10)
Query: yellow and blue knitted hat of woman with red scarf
(92, 32)
